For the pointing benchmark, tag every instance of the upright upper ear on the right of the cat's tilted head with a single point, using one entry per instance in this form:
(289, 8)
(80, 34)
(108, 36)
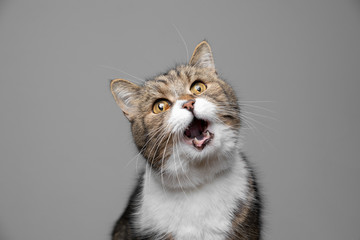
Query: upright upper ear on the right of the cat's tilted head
(202, 56)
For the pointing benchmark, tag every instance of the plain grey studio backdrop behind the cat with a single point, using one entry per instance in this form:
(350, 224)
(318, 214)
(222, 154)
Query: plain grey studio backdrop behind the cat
(65, 146)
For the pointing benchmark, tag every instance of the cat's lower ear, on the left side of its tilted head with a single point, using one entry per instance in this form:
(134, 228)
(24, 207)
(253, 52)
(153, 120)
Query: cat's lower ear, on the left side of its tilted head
(125, 94)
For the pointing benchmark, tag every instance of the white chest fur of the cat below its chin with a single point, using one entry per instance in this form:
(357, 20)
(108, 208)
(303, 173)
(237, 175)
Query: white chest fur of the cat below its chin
(202, 213)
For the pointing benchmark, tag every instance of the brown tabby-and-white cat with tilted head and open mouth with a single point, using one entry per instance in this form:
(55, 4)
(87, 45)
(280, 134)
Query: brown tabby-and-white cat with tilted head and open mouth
(197, 183)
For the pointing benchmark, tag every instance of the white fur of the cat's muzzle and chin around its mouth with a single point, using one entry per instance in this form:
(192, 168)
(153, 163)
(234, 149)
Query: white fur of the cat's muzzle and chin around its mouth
(224, 143)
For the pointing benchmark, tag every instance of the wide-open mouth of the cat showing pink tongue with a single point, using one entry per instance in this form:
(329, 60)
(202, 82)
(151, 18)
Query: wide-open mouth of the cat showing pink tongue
(197, 133)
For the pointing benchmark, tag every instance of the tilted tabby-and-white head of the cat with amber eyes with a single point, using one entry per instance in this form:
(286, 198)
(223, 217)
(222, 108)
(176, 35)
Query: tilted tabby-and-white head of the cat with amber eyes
(186, 117)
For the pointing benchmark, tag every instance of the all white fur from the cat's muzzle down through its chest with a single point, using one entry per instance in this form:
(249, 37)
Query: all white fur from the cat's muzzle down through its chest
(195, 196)
